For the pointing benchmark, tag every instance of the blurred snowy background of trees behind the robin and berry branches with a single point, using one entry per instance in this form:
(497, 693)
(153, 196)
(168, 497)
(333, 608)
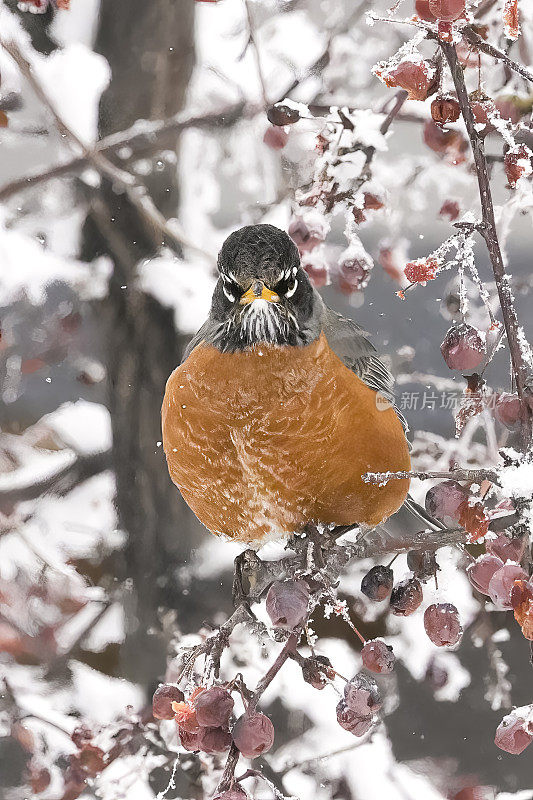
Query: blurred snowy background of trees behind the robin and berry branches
(101, 562)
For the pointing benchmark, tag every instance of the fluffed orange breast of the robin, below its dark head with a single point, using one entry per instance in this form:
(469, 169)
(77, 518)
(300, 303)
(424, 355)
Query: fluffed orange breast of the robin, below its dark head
(263, 441)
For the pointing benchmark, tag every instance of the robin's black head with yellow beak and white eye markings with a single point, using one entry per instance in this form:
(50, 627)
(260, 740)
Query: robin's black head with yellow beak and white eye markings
(263, 295)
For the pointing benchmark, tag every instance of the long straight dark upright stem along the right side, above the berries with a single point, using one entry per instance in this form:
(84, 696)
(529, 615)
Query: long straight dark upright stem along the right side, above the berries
(490, 235)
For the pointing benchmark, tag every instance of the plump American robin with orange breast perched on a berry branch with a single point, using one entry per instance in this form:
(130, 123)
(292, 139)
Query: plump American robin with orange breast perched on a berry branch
(280, 405)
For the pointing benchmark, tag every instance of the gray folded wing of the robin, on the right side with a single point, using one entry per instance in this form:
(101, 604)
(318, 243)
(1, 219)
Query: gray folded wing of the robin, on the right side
(350, 343)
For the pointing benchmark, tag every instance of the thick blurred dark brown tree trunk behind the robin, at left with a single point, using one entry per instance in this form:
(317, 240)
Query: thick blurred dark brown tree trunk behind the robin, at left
(149, 47)
